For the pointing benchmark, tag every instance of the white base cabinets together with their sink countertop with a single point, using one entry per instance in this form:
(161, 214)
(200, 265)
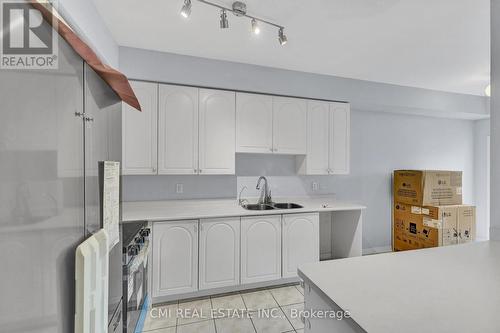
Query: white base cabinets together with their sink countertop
(204, 247)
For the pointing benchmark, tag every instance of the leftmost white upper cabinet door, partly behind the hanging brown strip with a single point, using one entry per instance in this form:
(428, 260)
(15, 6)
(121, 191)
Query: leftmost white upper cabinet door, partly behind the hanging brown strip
(139, 132)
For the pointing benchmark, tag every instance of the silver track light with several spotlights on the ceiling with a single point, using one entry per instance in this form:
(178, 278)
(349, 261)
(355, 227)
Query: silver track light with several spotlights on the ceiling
(239, 9)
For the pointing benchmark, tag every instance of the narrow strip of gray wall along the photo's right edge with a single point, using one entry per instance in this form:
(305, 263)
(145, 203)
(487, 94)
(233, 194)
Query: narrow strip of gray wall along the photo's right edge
(495, 120)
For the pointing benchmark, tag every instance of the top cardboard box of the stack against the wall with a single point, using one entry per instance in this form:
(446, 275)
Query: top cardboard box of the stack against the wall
(427, 187)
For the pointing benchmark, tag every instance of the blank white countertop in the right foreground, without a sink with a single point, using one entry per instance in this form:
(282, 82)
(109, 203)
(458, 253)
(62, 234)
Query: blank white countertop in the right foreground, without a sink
(446, 289)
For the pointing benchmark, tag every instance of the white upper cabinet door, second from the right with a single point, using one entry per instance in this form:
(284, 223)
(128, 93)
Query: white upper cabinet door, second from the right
(318, 135)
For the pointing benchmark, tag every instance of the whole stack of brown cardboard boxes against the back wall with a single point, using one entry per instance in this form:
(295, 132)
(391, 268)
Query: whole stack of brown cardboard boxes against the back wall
(428, 211)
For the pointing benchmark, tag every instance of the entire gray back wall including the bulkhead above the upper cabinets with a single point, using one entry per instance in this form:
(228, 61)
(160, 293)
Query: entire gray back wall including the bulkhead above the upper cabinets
(390, 129)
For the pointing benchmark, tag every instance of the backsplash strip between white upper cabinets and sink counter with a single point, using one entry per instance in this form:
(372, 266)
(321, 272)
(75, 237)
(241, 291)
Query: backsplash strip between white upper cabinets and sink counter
(279, 170)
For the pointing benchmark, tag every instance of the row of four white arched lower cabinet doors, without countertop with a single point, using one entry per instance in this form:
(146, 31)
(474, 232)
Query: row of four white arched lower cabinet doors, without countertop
(227, 252)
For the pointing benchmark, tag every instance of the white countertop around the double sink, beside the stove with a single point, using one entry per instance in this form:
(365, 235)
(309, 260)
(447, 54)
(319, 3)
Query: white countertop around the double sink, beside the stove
(197, 209)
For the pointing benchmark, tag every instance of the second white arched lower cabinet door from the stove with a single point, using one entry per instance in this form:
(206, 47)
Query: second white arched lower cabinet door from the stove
(219, 253)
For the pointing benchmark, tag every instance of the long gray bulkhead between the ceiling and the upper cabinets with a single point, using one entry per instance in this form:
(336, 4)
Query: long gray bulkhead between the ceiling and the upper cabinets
(363, 95)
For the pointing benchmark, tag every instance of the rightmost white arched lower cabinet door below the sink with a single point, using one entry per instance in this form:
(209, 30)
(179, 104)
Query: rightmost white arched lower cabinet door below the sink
(300, 241)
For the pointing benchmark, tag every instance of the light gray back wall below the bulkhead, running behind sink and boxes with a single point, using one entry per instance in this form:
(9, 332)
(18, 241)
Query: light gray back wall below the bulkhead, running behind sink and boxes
(381, 142)
